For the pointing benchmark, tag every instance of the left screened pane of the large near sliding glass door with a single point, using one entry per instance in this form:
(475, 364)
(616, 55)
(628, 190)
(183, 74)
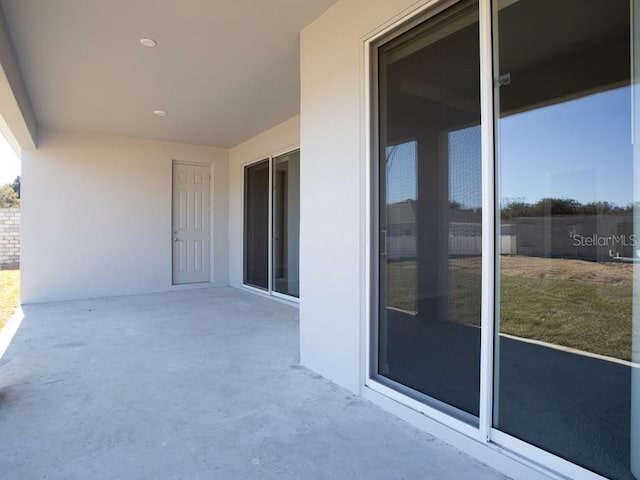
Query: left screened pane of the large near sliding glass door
(429, 212)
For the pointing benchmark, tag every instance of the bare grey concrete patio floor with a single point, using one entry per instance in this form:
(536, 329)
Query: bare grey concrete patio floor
(195, 384)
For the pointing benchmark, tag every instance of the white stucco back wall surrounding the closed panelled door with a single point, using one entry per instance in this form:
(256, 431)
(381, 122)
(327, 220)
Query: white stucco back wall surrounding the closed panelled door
(96, 215)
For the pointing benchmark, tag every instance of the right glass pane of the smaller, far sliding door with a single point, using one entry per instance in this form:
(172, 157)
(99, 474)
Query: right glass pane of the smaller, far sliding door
(286, 223)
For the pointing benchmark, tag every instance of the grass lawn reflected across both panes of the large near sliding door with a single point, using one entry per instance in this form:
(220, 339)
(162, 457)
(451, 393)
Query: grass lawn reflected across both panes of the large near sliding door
(573, 303)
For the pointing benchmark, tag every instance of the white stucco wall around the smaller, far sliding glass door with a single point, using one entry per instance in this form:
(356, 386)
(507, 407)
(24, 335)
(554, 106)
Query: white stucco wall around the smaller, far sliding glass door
(281, 138)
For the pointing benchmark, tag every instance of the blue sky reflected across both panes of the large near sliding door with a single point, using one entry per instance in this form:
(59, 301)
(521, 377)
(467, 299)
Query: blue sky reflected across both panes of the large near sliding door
(579, 149)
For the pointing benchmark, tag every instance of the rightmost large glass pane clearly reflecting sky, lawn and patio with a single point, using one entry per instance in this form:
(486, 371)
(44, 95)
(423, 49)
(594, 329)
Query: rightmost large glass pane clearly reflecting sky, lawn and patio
(567, 243)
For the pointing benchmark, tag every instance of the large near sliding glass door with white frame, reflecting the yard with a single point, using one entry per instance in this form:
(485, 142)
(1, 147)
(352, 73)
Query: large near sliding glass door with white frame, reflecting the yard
(523, 320)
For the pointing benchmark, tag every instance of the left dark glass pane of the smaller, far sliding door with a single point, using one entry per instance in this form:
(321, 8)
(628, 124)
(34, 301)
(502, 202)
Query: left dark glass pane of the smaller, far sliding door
(256, 228)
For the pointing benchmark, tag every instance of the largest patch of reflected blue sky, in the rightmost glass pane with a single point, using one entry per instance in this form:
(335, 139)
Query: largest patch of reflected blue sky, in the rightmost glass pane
(579, 149)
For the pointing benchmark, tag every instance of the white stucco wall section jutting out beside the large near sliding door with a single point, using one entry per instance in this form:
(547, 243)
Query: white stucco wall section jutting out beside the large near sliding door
(332, 186)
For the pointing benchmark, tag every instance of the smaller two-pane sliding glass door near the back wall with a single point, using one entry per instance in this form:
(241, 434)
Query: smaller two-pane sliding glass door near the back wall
(272, 224)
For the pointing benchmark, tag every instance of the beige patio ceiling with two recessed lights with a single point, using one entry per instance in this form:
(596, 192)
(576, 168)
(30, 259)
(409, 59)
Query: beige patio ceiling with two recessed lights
(223, 70)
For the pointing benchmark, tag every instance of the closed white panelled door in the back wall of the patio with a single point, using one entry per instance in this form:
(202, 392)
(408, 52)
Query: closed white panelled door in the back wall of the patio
(191, 233)
